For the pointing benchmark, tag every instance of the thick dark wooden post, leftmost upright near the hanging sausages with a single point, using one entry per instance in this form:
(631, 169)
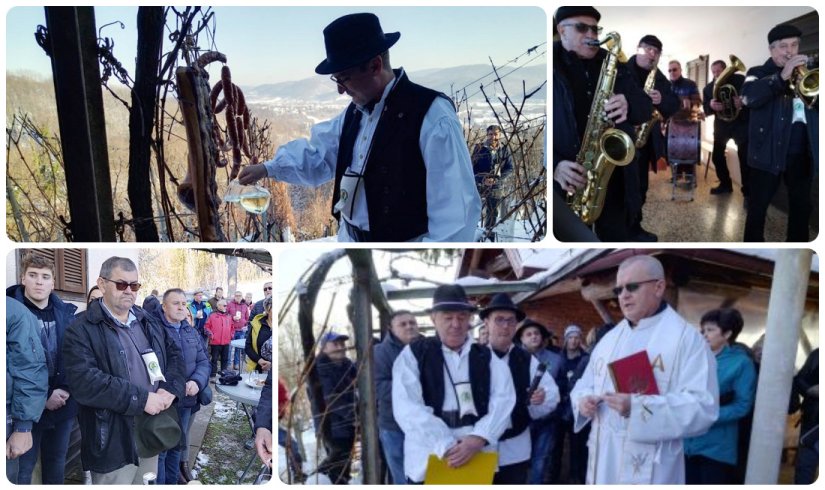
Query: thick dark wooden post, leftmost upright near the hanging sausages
(79, 98)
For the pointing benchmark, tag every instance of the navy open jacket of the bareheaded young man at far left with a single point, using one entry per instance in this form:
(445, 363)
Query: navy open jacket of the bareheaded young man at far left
(64, 316)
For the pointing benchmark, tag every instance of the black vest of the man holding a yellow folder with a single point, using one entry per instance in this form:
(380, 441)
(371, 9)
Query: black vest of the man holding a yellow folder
(431, 367)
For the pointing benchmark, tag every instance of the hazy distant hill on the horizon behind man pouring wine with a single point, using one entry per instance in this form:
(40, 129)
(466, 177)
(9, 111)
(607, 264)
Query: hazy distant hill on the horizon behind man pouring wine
(319, 89)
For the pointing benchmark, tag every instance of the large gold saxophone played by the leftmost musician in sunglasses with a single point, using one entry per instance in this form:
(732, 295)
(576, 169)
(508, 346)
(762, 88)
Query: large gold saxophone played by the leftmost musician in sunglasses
(603, 146)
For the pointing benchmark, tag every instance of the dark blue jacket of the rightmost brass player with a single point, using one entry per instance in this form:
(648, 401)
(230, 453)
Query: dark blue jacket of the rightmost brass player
(771, 109)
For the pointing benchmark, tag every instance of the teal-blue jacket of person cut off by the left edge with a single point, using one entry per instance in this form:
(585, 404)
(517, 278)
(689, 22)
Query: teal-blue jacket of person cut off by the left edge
(26, 373)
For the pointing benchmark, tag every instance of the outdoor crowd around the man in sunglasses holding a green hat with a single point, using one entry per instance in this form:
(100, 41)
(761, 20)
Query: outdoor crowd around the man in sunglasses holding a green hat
(132, 377)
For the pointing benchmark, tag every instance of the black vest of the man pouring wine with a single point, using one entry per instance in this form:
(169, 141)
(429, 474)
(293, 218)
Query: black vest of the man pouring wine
(395, 178)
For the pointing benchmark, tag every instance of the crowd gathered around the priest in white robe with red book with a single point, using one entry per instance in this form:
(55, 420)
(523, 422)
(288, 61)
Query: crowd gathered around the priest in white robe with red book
(513, 391)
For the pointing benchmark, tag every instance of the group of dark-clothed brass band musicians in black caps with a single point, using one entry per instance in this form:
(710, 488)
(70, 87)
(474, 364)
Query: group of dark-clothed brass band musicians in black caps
(774, 124)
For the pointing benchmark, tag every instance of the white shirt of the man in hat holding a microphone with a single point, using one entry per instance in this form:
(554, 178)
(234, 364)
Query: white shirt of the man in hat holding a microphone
(519, 448)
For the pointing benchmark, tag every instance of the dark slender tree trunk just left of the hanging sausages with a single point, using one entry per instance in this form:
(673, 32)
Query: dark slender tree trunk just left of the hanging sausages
(150, 23)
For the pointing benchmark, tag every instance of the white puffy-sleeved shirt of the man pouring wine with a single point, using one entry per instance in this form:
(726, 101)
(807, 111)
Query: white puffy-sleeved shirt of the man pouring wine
(453, 203)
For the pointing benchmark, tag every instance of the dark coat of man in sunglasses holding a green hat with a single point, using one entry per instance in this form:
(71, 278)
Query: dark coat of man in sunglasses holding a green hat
(99, 377)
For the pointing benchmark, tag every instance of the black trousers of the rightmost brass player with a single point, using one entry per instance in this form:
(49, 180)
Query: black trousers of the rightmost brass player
(763, 186)
